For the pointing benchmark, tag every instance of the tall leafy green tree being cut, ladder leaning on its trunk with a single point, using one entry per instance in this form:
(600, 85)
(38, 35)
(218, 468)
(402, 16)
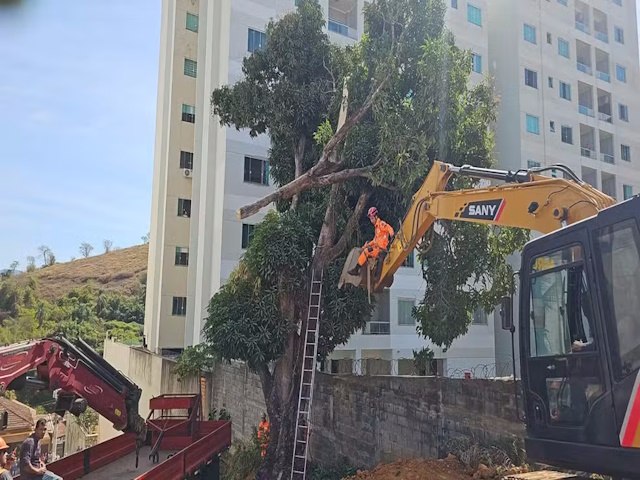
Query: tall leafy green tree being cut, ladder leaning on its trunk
(349, 128)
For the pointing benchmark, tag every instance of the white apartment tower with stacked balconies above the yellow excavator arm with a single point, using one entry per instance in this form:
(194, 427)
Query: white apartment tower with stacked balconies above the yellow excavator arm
(567, 73)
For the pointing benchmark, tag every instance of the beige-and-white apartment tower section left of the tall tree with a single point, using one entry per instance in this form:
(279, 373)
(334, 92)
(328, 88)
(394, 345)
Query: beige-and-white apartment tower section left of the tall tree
(204, 172)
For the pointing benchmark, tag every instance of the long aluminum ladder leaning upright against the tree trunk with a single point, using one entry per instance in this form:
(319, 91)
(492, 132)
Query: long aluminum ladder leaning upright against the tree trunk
(307, 376)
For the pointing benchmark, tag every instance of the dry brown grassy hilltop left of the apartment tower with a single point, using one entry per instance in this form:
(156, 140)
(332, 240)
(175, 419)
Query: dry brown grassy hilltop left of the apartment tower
(117, 271)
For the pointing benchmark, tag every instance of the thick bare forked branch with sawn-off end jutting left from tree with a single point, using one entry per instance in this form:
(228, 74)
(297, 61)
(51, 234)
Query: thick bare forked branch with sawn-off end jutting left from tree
(309, 178)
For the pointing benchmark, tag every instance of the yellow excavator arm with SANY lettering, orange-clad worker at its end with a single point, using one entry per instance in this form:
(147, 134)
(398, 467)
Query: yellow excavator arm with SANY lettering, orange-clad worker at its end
(525, 199)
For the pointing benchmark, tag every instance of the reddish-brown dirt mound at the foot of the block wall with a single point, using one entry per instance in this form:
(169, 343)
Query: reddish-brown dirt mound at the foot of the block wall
(416, 469)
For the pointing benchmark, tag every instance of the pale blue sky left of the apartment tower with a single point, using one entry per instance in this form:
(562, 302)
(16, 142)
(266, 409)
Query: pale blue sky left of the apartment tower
(78, 86)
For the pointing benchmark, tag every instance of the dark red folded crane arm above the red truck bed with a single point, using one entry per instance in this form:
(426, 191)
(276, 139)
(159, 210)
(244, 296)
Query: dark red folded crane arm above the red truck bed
(78, 375)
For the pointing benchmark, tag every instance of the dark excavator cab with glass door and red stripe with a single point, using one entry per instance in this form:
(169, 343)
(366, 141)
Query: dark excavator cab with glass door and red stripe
(579, 333)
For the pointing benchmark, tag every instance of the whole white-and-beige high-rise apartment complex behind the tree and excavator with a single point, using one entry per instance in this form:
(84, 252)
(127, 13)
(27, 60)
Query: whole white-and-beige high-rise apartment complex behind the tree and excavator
(565, 71)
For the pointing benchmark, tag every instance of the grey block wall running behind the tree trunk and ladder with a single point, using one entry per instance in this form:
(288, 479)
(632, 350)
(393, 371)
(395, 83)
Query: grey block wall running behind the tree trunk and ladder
(370, 419)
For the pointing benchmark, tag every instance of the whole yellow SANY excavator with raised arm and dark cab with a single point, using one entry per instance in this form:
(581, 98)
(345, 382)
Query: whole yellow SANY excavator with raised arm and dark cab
(579, 304)
